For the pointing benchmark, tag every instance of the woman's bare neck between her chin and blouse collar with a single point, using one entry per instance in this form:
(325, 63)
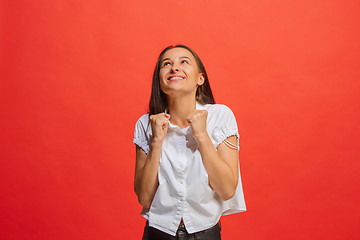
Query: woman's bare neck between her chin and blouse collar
(180, 108)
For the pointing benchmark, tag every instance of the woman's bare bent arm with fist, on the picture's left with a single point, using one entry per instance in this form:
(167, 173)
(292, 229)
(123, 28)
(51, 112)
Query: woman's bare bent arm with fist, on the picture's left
(146, 169)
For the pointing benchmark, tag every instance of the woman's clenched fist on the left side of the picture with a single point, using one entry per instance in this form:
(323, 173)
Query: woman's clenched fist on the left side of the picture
(159, 126)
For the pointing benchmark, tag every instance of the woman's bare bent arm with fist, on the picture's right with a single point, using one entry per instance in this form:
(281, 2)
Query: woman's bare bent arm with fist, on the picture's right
(221, 165)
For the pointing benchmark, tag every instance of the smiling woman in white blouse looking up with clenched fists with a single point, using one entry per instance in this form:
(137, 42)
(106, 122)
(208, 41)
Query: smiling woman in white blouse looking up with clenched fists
(187, 169)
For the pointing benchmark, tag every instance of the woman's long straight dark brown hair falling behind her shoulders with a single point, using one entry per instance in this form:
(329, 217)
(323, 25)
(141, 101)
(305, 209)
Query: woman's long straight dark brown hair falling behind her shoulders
(158, 101)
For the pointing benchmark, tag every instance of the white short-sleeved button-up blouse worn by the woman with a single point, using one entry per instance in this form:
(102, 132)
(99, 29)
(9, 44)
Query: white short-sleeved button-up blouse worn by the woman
(184, 190)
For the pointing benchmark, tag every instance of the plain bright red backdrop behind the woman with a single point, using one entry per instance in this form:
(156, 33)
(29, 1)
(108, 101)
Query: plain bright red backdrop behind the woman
(76, 75)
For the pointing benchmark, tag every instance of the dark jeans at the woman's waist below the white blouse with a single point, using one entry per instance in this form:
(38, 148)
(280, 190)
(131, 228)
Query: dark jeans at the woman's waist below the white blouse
(212, 233)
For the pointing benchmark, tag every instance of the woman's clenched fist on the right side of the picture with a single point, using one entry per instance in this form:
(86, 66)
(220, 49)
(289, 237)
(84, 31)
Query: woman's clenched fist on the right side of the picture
(197, 120)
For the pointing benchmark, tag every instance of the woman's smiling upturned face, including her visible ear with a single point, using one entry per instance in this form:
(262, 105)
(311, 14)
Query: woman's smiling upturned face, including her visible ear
(179, 73)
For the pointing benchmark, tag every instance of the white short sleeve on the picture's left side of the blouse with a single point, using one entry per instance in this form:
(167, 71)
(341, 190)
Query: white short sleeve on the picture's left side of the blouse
(142, 133)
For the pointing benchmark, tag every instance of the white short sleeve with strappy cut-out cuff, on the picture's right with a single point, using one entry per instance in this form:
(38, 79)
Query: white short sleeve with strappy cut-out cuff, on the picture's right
(225, 126)
